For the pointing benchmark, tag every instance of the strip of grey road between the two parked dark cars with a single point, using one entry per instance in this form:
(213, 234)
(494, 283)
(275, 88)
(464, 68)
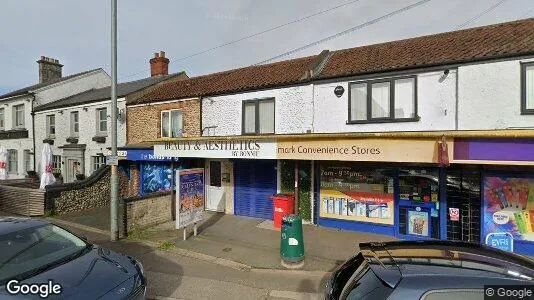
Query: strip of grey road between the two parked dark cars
(171, 276)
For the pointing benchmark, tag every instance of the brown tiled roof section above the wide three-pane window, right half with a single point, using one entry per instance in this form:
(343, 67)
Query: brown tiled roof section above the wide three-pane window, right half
(469, 45)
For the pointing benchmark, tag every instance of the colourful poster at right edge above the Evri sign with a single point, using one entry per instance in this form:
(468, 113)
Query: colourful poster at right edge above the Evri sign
(508, 207)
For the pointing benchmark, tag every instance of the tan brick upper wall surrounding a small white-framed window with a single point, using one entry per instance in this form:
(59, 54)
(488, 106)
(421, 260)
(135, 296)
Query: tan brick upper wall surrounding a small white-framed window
(144, 122)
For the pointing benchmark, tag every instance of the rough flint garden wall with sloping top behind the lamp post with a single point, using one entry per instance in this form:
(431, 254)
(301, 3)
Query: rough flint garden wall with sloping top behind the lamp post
(84, 194)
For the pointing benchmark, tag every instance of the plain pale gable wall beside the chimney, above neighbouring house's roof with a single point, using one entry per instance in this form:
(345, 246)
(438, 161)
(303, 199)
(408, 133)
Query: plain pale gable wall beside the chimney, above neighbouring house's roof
(94, 80)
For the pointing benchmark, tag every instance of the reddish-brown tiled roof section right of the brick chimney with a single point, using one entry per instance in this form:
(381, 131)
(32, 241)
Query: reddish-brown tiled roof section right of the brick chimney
(248, 78)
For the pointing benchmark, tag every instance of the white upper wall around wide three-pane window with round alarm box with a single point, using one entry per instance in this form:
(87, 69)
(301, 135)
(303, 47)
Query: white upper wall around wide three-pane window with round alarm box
(436, 96)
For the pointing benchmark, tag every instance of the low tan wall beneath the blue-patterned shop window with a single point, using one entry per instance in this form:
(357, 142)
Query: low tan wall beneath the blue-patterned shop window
(144, 212)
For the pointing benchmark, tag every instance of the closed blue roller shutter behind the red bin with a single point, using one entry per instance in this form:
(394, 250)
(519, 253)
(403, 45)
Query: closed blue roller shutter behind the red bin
(255, 184)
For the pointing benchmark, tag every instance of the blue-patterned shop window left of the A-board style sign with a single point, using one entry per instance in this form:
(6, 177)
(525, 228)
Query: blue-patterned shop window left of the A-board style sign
(155, 177)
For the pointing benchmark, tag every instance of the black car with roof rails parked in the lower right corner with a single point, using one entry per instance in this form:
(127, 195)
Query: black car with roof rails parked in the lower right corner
(426, 270)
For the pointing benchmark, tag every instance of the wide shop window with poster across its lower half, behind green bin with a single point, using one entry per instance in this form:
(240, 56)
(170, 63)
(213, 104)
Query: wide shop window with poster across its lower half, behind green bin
(356, 195)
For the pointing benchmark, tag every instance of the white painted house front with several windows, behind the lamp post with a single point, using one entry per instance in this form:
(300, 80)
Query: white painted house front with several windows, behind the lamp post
(87, 130)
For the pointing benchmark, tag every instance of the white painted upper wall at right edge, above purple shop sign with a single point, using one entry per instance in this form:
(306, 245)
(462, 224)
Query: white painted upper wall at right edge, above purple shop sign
(490, 96)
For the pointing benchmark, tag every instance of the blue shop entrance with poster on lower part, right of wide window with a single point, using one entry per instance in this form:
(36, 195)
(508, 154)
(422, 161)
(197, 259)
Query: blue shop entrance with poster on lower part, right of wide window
(419, 202)
